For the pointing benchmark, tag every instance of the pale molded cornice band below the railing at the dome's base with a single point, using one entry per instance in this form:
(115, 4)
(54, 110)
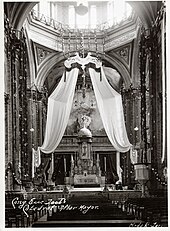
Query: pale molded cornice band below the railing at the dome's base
(67, 41)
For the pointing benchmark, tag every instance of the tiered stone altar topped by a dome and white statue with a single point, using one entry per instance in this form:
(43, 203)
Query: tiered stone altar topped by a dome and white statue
(85, 169)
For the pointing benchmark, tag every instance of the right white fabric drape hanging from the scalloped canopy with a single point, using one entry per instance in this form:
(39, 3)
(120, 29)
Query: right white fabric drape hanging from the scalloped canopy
(111, 111)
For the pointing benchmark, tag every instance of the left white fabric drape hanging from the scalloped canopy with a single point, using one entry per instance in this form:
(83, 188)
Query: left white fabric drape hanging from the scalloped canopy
(59, 107)
